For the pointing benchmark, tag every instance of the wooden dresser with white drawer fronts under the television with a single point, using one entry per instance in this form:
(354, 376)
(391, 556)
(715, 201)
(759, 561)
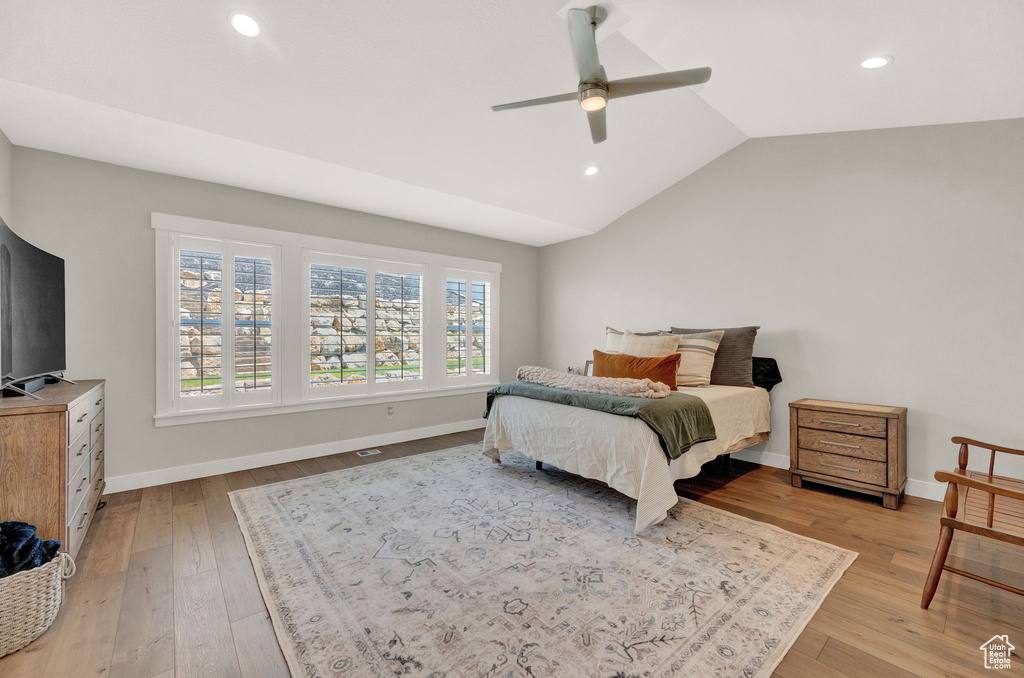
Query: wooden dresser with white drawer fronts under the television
(52, 460)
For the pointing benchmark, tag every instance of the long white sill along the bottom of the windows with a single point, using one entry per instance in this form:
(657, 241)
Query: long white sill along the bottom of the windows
(200, 416)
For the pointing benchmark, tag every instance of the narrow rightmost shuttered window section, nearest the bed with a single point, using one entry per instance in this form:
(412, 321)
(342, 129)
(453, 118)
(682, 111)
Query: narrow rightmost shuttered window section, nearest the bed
(470, 333)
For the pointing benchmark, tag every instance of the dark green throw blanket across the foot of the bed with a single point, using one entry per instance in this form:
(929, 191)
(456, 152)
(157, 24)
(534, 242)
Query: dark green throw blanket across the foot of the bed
(680, 421)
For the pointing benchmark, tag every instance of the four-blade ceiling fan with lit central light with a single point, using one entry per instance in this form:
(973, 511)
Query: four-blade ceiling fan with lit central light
(595, 90)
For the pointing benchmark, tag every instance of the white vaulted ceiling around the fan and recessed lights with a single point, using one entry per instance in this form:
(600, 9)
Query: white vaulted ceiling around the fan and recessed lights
(385, 107)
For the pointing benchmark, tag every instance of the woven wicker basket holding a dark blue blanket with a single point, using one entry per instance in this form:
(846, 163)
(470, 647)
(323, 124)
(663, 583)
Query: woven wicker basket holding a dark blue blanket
(30, 601)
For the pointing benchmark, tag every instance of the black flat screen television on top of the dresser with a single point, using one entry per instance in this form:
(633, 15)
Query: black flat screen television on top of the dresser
(32, 311)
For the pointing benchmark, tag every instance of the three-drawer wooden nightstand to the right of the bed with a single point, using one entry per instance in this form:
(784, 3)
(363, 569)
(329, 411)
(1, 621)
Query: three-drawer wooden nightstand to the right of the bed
(847, 445)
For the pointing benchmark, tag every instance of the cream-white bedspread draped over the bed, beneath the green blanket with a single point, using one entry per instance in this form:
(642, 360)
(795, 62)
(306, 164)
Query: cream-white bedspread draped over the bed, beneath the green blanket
(622, 452)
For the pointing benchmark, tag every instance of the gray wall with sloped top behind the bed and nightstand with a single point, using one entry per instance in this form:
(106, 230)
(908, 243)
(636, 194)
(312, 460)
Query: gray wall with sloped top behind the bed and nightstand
(884, 267)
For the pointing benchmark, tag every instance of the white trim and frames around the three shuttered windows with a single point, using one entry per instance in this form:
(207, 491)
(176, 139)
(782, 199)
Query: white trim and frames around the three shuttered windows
(290, 306)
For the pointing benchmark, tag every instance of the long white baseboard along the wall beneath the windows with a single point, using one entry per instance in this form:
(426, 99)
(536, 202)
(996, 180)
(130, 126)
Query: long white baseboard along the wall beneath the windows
(204, 470)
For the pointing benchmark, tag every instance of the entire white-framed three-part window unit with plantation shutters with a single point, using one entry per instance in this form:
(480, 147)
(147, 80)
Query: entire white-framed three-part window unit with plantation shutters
(253, 321)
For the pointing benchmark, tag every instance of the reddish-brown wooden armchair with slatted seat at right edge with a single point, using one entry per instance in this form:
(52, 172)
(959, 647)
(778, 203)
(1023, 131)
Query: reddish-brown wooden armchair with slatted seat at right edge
(989, 505)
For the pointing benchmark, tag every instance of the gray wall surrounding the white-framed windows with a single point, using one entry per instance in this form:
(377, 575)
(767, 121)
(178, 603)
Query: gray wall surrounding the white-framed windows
(97, 217)
